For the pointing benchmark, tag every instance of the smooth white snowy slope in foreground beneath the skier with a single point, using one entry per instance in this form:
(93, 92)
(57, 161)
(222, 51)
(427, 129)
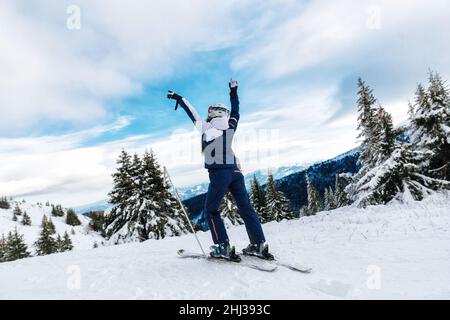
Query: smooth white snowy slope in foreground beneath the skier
(402, 251)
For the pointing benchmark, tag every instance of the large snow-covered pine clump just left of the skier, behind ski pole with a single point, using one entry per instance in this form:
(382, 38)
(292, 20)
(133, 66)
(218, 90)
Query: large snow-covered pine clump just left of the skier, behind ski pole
(149, 210)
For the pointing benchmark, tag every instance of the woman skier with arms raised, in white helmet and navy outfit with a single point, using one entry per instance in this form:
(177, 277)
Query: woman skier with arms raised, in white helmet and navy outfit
(225, 175)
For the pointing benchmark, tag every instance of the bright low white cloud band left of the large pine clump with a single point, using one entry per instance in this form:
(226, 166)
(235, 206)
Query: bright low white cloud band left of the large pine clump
(56, 164)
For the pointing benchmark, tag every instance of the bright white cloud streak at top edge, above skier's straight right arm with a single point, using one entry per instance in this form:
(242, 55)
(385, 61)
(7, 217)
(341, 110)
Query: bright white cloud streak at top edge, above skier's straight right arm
(319, 32)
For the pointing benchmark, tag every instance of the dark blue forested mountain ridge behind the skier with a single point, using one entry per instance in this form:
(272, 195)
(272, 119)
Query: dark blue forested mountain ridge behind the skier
(322, 174)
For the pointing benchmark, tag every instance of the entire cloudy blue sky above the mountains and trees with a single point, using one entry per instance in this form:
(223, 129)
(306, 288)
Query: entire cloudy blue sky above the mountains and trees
(82, 80)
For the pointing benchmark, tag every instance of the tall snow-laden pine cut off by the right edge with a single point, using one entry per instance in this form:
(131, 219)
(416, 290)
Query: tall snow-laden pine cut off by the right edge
(430, 132)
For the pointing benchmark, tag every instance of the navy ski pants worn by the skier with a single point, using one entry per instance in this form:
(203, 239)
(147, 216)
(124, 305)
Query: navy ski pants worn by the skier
(222, 181)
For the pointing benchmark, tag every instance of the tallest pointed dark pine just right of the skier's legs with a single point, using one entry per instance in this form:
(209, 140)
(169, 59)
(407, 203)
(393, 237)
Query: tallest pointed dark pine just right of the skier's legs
(277, 205)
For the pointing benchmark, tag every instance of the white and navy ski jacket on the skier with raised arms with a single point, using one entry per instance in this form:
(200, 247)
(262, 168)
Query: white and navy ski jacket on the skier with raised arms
(217, 135)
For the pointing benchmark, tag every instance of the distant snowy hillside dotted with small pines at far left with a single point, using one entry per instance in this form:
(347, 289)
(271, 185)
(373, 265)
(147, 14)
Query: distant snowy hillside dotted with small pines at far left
(84, 238)
